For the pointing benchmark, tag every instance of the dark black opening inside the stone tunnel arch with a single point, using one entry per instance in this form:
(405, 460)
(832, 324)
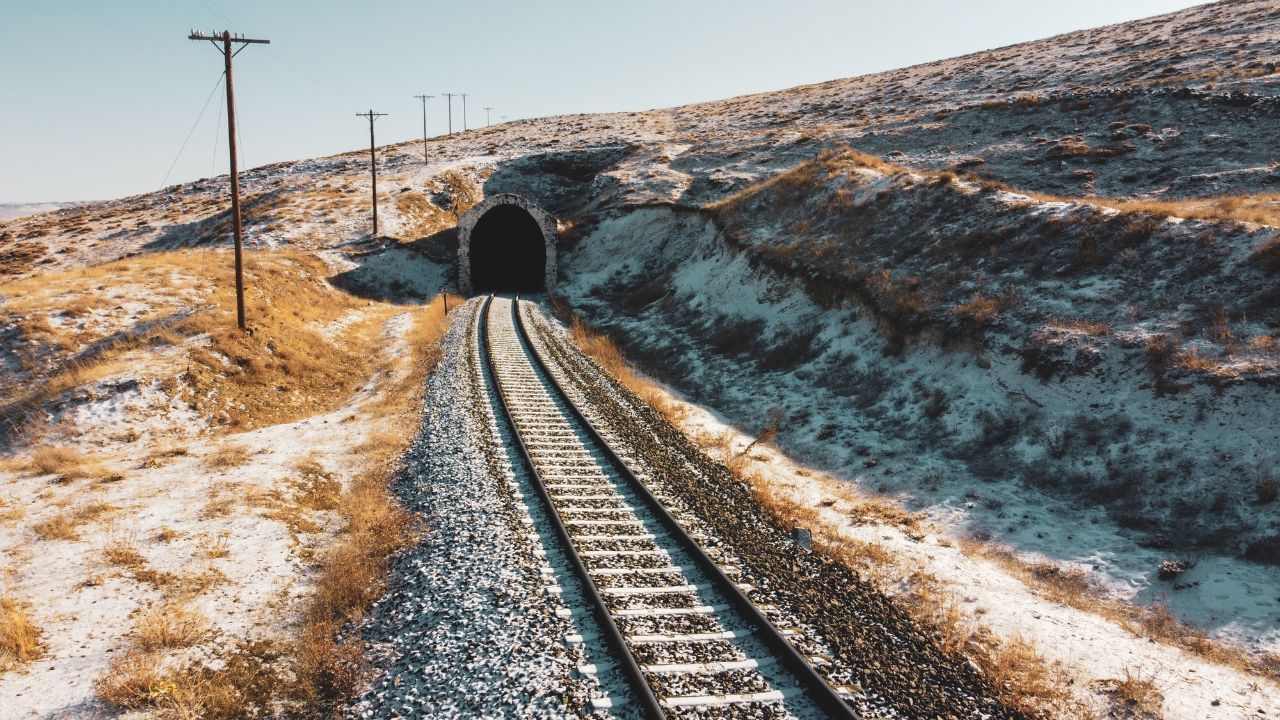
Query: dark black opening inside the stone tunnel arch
(509, 253)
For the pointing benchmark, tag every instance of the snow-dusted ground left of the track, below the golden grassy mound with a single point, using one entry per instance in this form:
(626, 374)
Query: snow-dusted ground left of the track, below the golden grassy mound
(159, 521)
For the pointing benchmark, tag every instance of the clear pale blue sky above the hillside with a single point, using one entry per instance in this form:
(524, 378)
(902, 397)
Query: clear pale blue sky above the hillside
(99, 95)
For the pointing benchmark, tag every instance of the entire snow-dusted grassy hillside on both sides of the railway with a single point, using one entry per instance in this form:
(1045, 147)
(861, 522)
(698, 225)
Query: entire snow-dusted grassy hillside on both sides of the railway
(1031, 294)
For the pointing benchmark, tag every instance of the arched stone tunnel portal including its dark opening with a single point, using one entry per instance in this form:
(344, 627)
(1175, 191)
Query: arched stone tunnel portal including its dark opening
(506, 244)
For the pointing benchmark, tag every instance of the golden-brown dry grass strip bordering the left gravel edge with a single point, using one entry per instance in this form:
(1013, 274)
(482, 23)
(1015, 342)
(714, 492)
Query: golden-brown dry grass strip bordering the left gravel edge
(309, 675)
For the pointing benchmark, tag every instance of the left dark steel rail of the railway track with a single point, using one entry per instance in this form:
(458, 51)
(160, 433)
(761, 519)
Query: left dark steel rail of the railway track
(641, 687)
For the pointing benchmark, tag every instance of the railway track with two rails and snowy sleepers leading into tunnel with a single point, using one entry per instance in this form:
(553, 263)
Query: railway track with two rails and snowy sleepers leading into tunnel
(678, 625)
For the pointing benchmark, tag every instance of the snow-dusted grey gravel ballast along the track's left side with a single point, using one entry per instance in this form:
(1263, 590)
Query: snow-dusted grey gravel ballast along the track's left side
(468, 627)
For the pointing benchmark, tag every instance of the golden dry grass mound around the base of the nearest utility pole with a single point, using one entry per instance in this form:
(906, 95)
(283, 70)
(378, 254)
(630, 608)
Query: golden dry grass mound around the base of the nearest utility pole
(285, 370)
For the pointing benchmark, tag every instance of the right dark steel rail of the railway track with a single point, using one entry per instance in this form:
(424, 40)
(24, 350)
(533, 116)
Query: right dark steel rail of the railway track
(820, 691)
